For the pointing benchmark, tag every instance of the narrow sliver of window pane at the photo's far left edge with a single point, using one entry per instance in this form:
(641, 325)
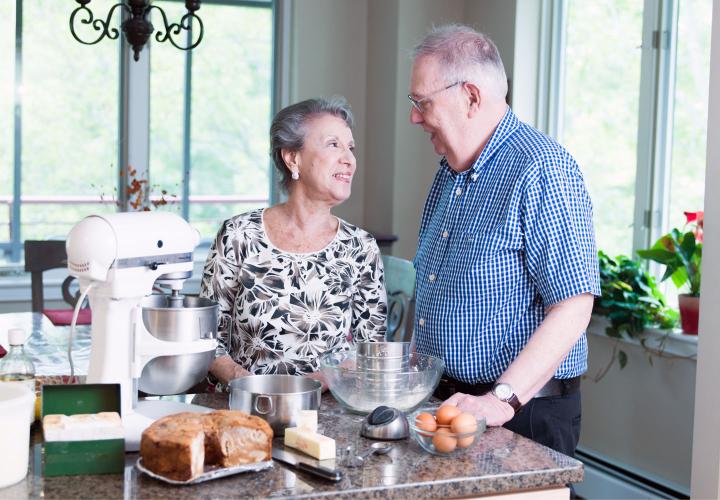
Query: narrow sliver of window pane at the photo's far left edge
(7, 88)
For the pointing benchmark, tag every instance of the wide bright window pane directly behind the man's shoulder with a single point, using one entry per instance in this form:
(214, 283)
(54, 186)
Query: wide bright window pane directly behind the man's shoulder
(600, 110)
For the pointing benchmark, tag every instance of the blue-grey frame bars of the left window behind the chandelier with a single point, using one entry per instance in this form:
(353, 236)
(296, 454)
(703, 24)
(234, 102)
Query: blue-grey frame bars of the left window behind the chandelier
(133, 130)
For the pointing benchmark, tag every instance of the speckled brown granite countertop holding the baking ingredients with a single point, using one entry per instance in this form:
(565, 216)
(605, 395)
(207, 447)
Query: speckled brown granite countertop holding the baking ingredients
(501, 462)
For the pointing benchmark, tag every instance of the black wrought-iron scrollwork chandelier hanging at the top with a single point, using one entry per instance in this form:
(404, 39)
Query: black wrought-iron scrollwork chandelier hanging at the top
(137, 27)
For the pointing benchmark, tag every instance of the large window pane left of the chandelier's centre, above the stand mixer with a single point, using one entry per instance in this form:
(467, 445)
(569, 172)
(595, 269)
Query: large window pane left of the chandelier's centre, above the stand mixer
(70, 119)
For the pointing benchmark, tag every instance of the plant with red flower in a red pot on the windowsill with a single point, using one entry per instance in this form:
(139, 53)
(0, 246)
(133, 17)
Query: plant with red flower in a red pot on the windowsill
(681, 253)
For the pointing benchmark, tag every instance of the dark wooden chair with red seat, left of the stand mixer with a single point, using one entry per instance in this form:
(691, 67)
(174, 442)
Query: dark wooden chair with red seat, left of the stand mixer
(41, 256)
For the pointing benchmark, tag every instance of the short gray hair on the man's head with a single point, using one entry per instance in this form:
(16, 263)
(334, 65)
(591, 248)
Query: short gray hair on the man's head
(465, 55)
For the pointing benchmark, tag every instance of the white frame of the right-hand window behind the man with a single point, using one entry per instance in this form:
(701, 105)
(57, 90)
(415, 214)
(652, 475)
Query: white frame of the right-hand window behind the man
(655, 120)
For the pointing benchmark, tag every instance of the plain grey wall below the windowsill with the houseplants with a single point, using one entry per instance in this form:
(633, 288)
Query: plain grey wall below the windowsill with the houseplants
(641, 416)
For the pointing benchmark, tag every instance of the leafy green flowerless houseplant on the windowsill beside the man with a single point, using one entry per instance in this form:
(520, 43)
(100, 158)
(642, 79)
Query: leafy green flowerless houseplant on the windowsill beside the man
(631, 301)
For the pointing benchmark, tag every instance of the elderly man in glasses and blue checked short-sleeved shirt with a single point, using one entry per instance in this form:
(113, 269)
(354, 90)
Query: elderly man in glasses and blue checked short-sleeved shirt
(506, 260)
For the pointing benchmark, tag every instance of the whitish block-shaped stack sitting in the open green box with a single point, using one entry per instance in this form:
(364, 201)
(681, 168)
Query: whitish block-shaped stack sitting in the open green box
(83, 427)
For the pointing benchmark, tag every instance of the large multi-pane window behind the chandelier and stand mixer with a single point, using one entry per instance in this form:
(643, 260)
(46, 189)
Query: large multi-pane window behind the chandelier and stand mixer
(60, 118)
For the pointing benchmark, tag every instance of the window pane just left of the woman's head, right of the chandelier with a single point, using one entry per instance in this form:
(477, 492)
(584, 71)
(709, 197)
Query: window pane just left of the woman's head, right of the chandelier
(231, 113)
